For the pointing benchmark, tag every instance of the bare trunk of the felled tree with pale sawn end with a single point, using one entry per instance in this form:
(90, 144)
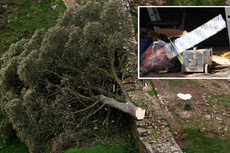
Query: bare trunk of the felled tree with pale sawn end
(129, 108)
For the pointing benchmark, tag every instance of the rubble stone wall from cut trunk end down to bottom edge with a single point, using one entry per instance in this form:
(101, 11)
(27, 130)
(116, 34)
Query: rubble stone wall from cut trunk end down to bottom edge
(152, 134)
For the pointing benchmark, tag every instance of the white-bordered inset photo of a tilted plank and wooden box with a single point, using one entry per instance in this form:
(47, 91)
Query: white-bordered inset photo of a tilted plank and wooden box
(183, 42)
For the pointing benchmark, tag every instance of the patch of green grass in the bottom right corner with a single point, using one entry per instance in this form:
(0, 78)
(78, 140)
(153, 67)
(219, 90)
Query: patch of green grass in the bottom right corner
(202, 144)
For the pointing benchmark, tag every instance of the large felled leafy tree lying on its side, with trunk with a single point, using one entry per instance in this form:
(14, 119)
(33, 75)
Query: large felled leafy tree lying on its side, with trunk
(53, 83)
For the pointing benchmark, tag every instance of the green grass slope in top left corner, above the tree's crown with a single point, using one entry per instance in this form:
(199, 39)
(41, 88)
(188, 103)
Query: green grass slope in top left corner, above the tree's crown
(24, 20)
